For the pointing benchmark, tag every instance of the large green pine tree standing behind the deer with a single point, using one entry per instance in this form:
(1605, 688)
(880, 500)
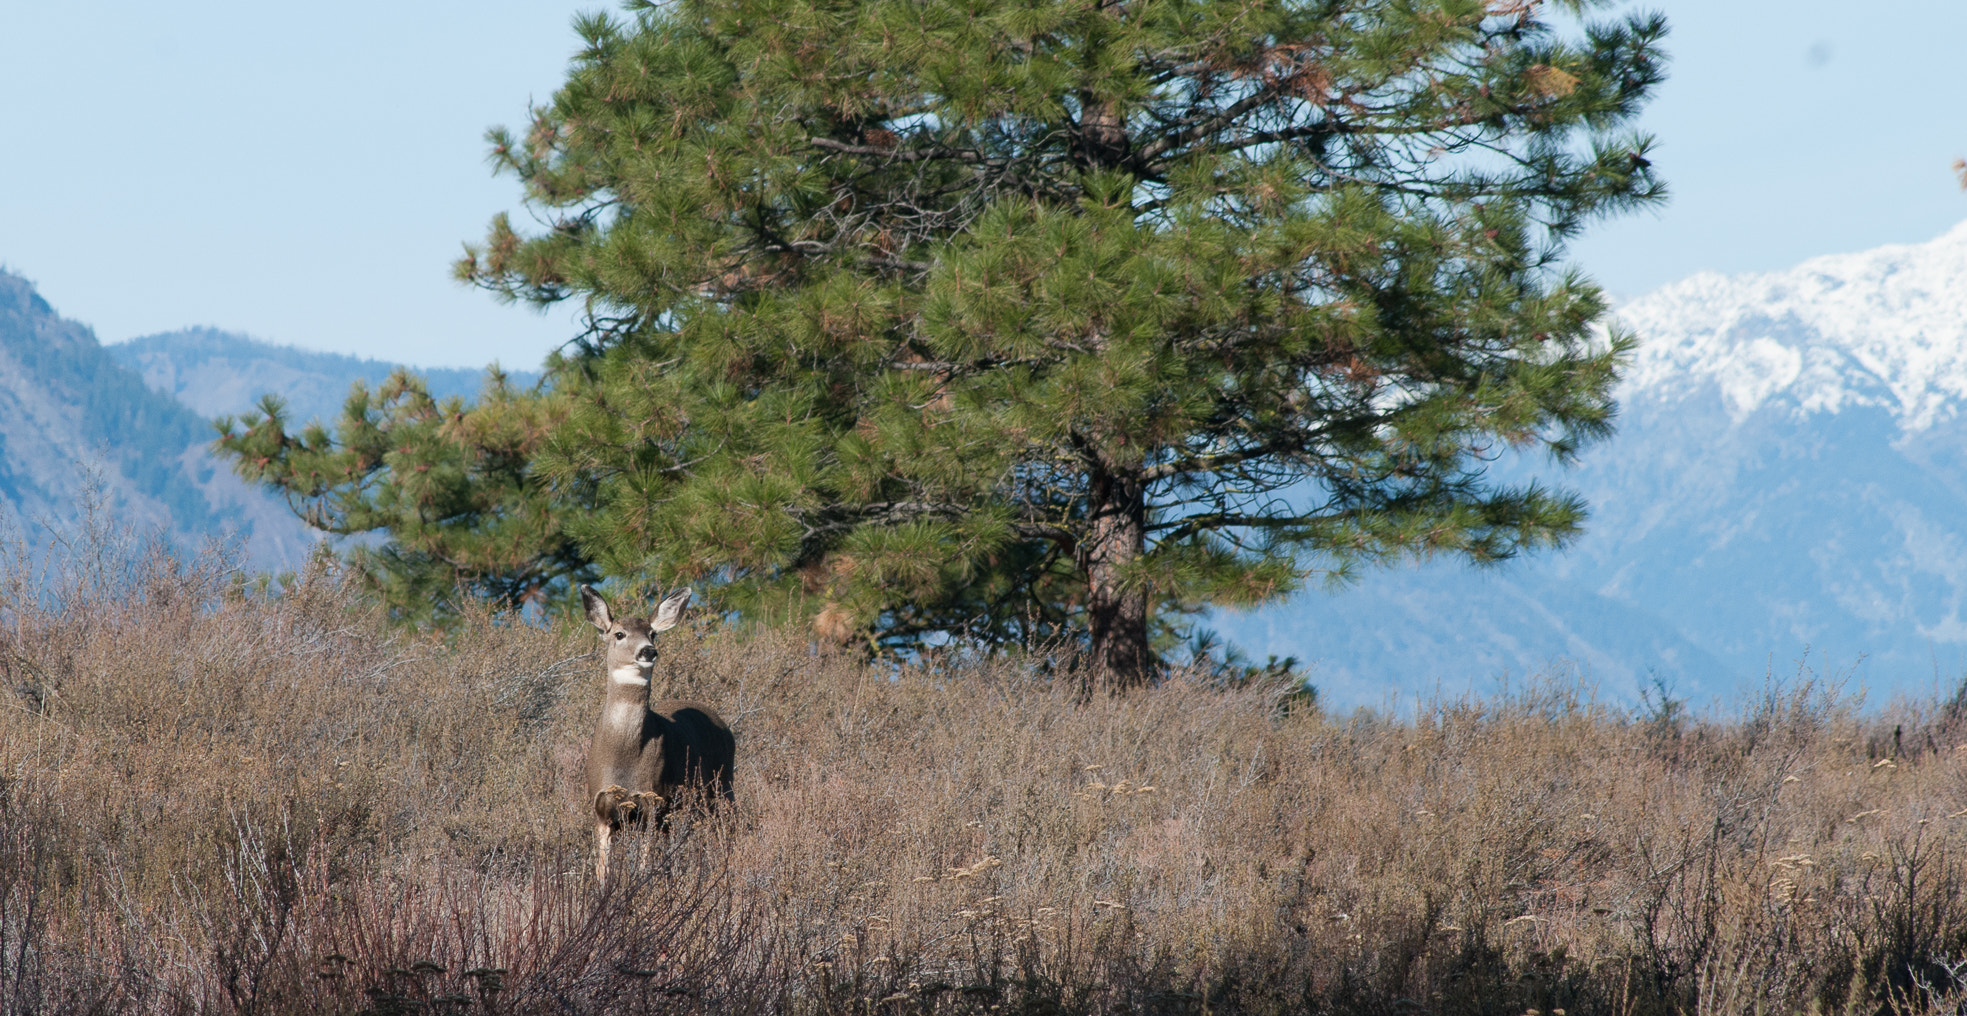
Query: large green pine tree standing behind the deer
(1026, 319)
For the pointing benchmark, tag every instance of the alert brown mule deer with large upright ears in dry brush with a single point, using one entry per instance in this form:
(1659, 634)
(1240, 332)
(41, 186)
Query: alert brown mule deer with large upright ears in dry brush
(646, 752)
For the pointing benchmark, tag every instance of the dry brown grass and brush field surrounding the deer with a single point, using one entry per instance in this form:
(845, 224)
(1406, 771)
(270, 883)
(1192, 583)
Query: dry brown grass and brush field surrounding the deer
(217, 801)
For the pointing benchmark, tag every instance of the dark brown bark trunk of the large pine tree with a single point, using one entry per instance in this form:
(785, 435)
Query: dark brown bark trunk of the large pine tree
(1116, 612)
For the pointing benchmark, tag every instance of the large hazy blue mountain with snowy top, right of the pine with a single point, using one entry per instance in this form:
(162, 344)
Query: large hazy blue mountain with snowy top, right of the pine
(1789, 479)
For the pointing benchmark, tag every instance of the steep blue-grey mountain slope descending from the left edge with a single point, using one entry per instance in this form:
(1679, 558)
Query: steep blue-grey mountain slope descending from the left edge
(68, 410)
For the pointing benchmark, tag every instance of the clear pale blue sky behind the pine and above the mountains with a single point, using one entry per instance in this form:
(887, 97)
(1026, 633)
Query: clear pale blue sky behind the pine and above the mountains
(306, 174)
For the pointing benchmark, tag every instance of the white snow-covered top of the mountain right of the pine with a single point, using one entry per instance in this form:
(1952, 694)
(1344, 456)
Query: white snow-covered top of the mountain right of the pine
(1874, 329)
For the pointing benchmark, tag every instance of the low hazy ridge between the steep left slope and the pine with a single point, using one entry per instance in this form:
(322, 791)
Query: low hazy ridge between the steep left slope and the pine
(225, 374)
